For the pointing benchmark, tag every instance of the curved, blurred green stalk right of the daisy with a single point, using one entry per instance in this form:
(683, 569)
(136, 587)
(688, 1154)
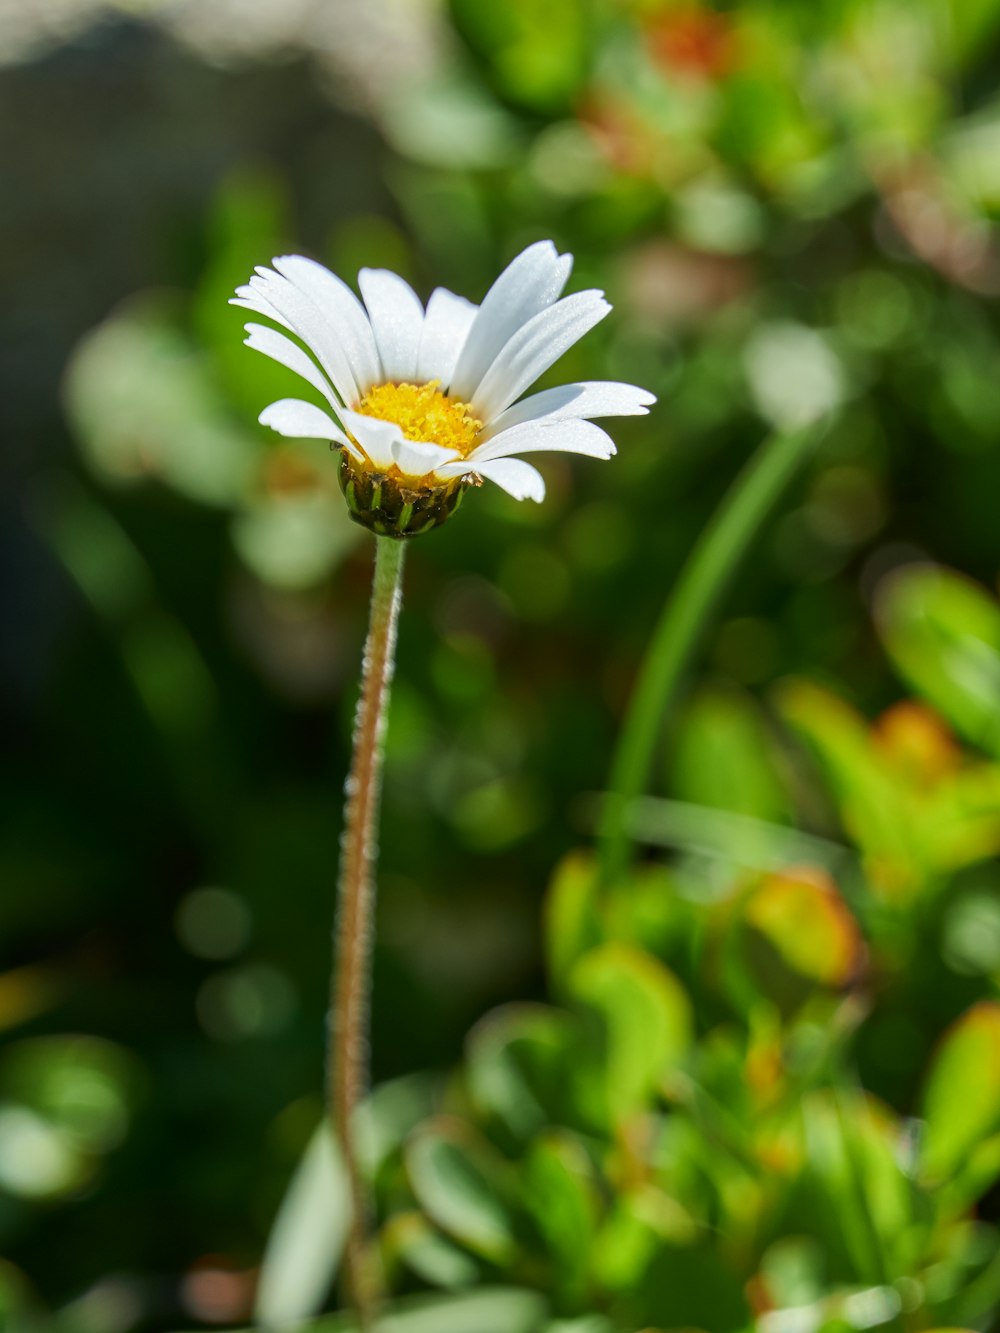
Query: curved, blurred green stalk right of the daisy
(682, 625)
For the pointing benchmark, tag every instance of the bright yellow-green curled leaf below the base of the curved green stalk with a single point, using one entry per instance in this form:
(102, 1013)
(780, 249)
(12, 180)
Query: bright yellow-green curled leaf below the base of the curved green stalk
(646, 1018)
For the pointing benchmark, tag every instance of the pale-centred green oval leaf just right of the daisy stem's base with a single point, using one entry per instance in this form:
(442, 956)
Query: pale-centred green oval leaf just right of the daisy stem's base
(459, 1184)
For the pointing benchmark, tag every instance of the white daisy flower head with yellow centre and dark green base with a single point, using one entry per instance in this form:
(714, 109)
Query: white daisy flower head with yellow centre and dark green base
(426, 402)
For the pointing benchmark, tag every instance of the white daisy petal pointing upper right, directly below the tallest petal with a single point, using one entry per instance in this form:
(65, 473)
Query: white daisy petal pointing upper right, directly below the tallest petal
(534, 349)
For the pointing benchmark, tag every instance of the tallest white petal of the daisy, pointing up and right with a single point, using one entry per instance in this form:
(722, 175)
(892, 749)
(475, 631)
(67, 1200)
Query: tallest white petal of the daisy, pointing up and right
(529, 285)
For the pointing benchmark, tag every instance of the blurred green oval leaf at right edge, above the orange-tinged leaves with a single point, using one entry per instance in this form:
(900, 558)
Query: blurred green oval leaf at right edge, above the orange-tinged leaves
(943, 634)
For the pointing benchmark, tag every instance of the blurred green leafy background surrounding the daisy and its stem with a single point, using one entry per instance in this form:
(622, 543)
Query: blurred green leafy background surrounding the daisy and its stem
(761, 1080)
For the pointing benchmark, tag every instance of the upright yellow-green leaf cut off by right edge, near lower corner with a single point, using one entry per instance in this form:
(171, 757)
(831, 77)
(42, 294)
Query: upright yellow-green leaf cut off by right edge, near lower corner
(962, 1098)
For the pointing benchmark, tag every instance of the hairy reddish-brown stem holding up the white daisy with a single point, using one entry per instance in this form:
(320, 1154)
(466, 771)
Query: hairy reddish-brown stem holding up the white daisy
(355, 927)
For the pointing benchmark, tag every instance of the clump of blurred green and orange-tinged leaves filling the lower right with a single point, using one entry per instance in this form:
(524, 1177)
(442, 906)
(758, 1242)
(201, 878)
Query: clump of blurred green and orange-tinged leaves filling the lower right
(705, 1131)
